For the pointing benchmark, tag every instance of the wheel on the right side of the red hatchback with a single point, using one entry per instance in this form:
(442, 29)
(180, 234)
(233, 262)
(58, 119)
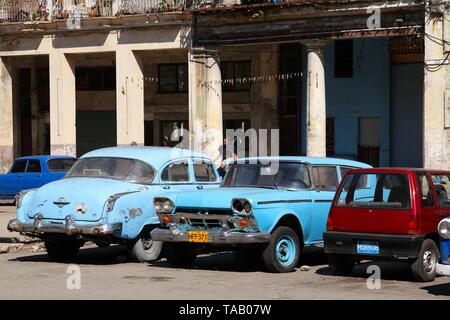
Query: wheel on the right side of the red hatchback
(424, 267)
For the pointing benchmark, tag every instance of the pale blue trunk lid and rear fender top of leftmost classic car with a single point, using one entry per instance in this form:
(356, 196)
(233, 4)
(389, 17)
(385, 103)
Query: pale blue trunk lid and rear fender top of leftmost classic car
(60, 198)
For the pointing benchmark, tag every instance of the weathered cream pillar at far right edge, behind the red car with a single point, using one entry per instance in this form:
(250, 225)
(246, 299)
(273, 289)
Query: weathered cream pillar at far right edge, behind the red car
(436, 136)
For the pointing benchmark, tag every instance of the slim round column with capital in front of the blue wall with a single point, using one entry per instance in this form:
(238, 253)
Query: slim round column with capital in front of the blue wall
(315, 101)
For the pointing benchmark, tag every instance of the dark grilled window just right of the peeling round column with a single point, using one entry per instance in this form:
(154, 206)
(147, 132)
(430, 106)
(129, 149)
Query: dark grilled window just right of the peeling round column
(235, 75)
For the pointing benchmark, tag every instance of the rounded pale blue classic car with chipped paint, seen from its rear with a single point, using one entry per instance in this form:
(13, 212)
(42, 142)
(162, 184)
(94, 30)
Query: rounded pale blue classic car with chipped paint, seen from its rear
(106, 197)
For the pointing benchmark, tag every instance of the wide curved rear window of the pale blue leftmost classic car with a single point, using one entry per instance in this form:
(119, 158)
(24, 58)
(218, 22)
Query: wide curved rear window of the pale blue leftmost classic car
(113, 168)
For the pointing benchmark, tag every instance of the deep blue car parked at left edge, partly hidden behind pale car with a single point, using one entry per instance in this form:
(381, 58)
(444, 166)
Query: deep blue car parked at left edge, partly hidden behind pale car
(33, 172)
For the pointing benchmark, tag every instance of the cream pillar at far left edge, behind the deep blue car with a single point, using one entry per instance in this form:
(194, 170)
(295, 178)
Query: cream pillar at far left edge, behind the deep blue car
(6, 112)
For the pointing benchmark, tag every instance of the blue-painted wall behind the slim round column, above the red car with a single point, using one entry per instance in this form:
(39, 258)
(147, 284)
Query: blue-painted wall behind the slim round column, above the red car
(366, 94)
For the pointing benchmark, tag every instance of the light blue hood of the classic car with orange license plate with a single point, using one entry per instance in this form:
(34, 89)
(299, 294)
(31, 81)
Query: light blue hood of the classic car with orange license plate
(220, 198)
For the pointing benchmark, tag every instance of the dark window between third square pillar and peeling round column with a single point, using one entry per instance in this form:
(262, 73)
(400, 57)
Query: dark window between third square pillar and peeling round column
(173, 78)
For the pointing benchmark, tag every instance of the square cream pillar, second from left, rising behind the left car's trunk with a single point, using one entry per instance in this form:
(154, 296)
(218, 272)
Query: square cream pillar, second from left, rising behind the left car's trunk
(62, 104)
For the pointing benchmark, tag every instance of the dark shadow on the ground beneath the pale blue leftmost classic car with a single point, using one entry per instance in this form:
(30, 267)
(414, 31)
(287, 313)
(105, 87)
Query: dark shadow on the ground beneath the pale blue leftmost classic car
(87, 256)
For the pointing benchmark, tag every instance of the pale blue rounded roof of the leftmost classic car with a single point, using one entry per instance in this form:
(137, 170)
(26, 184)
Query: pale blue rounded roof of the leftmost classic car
(155, 156)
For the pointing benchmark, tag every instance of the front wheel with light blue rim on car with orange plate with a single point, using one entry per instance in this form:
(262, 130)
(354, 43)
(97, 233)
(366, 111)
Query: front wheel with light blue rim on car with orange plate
(283, 251)
